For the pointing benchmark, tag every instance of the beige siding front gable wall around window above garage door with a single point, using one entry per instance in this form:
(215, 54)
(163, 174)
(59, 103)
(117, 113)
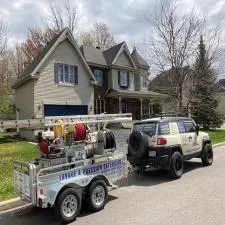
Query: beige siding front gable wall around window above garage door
(48, 92)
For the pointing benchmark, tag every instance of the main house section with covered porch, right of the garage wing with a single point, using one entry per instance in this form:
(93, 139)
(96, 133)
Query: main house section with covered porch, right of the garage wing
(122, 80)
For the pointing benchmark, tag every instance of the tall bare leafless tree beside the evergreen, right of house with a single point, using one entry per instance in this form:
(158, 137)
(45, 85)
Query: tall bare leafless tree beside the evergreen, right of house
(173, 43)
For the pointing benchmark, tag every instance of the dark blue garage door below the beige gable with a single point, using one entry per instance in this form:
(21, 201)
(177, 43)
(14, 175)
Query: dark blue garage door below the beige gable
(65, 110)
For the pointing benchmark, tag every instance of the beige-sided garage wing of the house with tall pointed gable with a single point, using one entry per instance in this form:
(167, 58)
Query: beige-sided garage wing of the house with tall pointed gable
(58, 82)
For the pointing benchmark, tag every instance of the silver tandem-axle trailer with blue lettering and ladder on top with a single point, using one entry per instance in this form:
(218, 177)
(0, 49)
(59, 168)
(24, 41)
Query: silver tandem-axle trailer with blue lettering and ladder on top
(79, 174)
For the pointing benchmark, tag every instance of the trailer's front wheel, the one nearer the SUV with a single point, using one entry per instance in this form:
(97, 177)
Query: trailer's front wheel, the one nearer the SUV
(97, 196)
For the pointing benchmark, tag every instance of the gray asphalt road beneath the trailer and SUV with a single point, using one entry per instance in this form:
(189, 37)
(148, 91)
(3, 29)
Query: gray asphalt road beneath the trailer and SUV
(197, 198)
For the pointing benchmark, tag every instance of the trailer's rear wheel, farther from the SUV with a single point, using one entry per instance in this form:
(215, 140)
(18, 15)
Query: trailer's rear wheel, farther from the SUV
(67, 206)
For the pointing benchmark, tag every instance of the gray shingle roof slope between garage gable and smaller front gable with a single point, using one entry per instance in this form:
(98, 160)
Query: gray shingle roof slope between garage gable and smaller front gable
(93, 55)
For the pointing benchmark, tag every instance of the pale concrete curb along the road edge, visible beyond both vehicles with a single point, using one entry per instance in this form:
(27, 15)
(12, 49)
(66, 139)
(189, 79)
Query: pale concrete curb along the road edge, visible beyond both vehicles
(17, 202)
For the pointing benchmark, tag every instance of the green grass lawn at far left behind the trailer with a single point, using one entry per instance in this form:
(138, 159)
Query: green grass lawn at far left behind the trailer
(11, 148)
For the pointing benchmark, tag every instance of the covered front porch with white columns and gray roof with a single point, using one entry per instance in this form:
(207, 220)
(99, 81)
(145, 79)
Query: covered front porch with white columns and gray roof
(141, 104)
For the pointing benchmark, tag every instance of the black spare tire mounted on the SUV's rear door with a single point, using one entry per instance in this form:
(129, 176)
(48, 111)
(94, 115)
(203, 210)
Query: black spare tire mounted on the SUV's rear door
(138, 145)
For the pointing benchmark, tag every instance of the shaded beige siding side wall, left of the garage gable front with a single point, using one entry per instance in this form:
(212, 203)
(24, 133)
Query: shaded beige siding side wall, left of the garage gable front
(25, 100)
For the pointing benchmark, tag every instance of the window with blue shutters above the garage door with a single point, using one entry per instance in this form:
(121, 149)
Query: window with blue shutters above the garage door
(65, 73)
